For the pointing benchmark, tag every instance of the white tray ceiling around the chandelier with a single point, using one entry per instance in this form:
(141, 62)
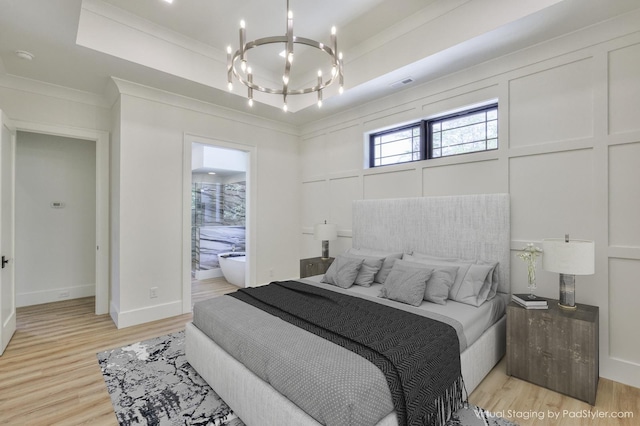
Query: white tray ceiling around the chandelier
(75, 44)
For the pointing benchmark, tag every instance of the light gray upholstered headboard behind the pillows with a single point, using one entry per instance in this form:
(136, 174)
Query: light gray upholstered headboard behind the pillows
(466, 226)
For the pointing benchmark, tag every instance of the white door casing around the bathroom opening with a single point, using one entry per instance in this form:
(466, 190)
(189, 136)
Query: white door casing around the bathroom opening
(251, 202)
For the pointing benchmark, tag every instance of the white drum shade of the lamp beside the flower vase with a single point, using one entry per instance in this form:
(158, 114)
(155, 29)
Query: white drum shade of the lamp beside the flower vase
(576, 257)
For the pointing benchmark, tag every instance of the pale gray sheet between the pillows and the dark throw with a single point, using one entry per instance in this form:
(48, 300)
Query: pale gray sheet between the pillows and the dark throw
(474, 320)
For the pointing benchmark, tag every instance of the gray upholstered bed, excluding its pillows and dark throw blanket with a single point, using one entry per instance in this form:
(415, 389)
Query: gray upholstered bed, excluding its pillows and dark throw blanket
(473, 227)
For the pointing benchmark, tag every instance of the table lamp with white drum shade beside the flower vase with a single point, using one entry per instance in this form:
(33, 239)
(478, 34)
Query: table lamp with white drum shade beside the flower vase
(568, 258)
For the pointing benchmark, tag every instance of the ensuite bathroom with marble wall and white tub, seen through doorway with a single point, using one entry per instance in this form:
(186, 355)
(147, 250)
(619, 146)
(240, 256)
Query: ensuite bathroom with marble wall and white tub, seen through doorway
(218, 213)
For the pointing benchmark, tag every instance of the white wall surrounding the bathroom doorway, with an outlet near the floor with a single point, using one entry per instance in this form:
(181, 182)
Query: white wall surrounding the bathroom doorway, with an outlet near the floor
(148, 237)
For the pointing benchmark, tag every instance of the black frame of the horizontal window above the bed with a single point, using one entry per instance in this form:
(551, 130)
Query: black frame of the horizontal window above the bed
(426, 135)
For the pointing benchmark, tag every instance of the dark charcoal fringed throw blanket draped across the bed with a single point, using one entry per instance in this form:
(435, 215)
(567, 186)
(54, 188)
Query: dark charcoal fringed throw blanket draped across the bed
(418, 356)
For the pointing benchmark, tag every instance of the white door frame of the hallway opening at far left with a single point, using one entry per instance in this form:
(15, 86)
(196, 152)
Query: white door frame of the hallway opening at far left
(101, 139)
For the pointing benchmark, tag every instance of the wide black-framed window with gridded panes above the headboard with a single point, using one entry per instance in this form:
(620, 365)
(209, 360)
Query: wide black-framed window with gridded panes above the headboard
(468, 131)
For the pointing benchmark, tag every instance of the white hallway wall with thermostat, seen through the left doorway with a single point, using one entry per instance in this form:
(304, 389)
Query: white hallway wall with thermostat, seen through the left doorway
(55, 248)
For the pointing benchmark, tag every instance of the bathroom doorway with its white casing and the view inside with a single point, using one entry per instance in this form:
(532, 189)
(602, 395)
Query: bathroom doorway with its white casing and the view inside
(219, 186)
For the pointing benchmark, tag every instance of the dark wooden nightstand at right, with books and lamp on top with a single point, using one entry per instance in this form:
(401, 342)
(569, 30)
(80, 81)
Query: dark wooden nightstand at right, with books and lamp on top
(555, 348)
